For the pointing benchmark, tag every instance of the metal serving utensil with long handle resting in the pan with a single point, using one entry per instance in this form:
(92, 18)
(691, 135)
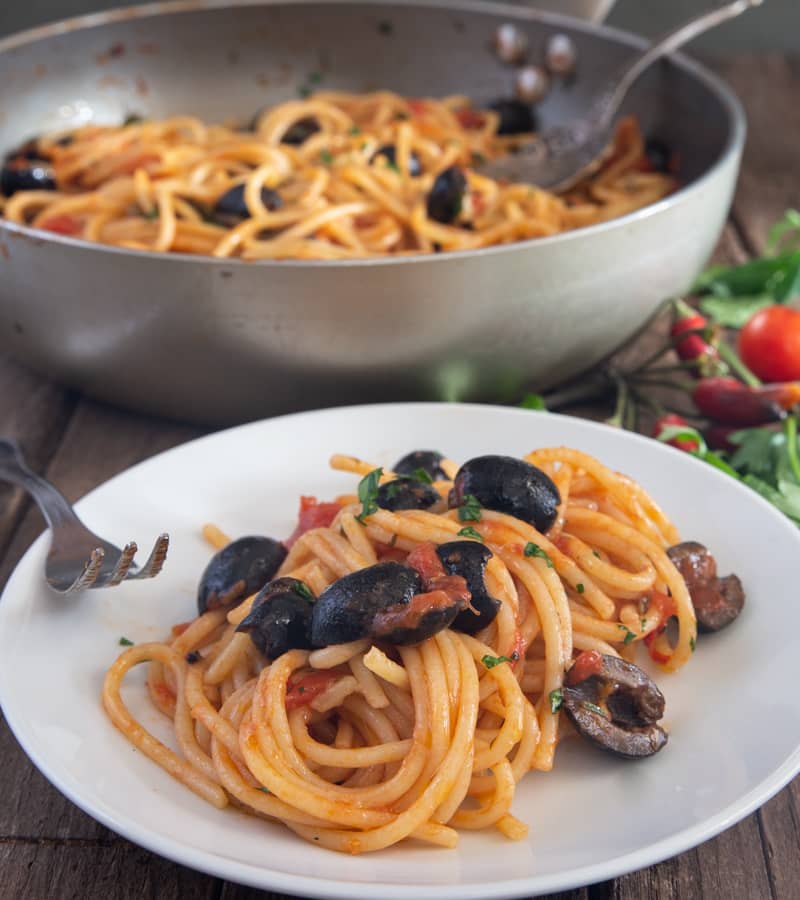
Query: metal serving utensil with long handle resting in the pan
(563, 155)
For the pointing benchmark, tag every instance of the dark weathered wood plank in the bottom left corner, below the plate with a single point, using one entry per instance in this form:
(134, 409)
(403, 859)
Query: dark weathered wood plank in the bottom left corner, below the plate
(81, 870)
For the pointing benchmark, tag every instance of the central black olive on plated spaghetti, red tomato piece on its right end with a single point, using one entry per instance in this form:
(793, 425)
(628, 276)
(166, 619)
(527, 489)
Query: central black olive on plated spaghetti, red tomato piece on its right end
(384, 602)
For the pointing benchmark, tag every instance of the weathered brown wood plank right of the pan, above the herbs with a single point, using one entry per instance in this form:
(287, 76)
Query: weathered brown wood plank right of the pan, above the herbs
(767, 85)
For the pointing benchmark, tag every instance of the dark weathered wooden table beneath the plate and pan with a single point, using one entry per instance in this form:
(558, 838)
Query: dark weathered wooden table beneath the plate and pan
(50, 849)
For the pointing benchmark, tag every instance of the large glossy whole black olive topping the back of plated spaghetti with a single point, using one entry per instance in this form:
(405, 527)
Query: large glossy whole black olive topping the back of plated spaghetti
(509, 485)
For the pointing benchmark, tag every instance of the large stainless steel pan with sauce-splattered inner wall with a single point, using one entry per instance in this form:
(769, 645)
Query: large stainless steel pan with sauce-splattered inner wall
(223, 341)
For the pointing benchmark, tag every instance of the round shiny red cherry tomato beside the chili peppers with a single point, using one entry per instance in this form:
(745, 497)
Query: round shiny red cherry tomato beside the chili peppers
(769, 344)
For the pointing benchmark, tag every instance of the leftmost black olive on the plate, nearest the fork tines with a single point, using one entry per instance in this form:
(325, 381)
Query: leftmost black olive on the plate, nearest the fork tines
(238, 570)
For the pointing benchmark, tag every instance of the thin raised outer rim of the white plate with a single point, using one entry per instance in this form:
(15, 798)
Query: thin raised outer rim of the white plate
(259, 876)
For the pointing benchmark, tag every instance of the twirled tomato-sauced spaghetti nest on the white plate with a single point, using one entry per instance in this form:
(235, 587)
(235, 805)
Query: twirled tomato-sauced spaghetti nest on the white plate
(359, 746)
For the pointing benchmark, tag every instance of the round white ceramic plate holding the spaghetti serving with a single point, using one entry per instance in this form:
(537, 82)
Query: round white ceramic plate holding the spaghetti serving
(732, 712)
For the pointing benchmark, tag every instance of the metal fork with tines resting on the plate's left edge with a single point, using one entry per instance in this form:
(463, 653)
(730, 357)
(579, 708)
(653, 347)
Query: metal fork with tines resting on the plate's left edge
(77, 558)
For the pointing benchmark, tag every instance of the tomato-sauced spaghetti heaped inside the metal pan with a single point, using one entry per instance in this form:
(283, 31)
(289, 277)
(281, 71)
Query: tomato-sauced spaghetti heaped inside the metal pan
(153, 184)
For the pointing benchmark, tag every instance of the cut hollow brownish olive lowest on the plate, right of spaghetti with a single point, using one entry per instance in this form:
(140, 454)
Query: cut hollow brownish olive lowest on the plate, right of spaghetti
(617, 709)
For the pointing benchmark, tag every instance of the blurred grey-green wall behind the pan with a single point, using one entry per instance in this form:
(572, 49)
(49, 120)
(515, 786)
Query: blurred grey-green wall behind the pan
(776, 25)
